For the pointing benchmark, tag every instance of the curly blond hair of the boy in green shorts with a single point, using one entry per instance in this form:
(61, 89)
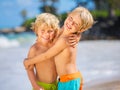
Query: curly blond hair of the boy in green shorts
(45, 18)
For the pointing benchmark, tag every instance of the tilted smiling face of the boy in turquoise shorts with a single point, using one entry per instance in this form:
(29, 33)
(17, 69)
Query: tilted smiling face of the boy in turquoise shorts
(72, 23)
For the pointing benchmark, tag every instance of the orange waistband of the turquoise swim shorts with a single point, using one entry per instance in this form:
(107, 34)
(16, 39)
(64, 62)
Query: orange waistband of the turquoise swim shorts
(71, 76)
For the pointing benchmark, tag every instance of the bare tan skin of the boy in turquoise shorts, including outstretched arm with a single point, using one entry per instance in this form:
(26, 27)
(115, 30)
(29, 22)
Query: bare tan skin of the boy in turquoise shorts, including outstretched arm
(65, 56)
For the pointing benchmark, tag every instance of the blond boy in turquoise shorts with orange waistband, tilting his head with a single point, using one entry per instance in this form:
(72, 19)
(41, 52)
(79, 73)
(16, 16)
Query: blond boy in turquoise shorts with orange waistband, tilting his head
(78, 21)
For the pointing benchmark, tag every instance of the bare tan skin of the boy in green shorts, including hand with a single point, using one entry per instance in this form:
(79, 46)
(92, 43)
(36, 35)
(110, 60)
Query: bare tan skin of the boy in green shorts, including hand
(45, 35)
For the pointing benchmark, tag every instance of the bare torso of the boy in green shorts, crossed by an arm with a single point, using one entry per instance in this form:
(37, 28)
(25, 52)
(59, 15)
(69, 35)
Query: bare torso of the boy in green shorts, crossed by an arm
(46, 70)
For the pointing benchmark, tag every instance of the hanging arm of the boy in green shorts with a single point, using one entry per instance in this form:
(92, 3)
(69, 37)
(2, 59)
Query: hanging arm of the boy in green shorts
(31, 73)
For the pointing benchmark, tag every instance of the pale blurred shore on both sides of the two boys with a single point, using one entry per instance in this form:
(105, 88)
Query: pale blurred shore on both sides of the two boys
(98, 61)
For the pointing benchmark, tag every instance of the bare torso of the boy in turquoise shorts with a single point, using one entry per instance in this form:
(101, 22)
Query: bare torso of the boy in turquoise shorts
(66, 61)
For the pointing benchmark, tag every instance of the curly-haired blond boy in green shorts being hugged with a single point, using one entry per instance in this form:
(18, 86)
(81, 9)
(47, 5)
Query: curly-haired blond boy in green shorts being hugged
(46, 27)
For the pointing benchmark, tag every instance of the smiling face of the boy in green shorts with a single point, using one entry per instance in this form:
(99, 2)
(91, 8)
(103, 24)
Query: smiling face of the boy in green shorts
(45, 34)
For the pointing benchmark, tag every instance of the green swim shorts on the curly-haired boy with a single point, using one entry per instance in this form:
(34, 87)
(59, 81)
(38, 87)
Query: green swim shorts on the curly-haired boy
(46, 86)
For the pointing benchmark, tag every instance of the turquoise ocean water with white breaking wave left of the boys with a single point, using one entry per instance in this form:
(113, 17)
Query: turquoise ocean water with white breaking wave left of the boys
(16, 40)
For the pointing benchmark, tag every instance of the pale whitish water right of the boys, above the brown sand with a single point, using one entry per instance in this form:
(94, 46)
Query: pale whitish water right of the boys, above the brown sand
(99, 61)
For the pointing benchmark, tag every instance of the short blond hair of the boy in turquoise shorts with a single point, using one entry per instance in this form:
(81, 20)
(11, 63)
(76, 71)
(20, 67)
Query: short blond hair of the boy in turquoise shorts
(85, 16)
